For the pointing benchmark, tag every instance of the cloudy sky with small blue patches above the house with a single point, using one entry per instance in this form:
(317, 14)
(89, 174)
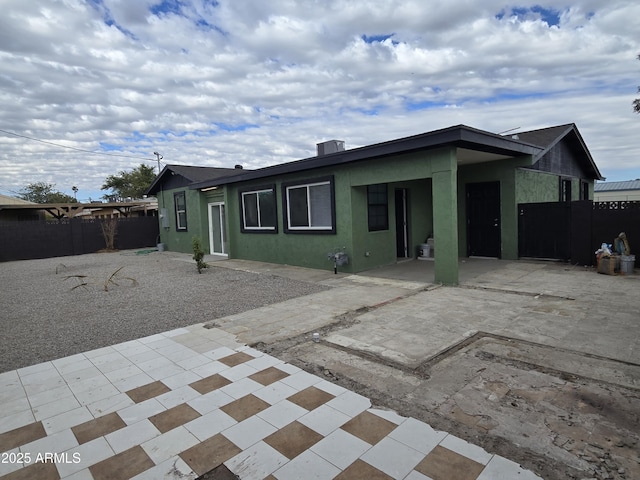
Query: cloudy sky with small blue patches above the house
(254, 82)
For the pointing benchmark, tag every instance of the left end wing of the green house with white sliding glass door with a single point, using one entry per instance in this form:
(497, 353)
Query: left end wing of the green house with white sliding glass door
(185, 213)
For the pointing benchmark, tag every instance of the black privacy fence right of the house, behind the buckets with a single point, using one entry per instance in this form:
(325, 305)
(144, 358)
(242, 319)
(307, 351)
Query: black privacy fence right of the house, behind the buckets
(573, 231)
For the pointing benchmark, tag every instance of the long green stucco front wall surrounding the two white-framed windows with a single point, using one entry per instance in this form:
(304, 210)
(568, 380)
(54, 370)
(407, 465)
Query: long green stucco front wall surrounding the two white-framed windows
(365, 249)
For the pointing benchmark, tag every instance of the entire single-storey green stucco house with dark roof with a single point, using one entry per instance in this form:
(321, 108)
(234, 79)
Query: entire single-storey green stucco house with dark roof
(378, 203)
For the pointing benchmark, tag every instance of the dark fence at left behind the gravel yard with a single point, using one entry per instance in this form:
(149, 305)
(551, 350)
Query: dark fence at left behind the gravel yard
(24, 240)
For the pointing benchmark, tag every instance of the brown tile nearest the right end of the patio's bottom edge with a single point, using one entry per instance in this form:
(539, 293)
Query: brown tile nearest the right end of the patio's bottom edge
(444, 464)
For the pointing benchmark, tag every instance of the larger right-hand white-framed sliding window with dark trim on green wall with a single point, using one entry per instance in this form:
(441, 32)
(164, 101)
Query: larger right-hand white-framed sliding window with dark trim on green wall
(310, 206)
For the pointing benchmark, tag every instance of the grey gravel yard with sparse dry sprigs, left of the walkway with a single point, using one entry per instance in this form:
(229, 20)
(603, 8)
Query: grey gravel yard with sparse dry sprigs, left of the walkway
(43, 317)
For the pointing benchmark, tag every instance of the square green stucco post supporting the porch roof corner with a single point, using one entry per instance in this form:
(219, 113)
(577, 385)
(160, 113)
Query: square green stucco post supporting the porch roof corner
(445, 217)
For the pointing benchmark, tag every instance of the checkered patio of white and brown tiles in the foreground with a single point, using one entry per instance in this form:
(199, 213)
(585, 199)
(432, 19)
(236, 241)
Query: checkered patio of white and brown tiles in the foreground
(165, 404)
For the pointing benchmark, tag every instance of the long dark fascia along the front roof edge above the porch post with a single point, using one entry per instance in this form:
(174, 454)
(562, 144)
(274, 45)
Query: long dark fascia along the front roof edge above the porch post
(458, 136)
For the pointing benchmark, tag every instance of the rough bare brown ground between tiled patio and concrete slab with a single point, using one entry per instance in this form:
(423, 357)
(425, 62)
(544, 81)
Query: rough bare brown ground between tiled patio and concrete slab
(580, 420)
